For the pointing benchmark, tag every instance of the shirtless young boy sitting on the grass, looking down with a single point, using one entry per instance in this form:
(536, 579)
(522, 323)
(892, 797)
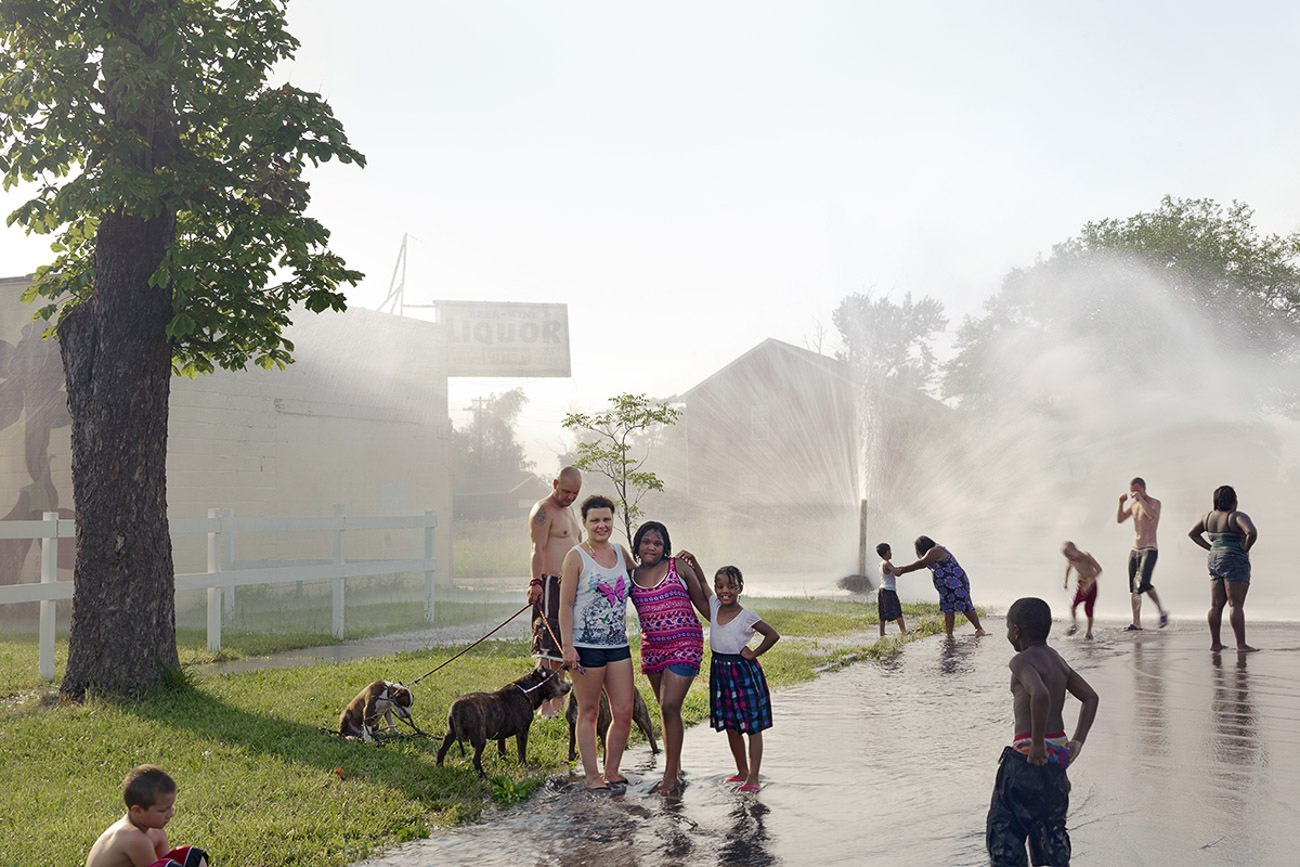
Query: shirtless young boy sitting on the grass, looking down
(138, 839)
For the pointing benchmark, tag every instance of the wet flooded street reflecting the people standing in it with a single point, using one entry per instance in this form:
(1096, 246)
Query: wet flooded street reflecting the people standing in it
(1194, 760)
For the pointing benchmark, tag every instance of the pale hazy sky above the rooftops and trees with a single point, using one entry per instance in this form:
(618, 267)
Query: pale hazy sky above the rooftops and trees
(695, 179)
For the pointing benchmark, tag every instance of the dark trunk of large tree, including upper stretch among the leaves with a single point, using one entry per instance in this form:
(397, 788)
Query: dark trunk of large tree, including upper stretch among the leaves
(118, 361)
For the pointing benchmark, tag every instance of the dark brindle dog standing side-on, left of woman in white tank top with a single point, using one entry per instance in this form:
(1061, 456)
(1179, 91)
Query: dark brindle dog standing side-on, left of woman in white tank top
(495, 717)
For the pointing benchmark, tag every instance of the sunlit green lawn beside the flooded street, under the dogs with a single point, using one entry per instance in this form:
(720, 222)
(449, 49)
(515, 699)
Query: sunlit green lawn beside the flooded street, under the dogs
(263, 784)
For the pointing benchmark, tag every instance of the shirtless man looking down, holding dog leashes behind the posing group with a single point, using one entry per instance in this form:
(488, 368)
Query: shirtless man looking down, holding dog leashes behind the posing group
(554, 530)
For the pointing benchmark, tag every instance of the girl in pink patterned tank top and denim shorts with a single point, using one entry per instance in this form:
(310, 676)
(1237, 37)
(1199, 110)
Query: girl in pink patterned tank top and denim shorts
(666, 593)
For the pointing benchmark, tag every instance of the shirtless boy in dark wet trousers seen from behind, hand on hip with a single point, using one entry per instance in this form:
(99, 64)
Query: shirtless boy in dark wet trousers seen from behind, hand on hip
(1032, 795)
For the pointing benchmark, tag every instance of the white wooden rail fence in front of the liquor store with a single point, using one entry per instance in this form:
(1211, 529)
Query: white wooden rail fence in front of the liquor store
(222, 530)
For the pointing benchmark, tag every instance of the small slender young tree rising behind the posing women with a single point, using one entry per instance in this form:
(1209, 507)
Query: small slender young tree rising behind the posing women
(613, 444)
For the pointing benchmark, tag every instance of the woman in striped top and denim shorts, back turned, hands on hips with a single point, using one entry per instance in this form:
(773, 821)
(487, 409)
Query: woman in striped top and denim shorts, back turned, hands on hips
(1232, 534)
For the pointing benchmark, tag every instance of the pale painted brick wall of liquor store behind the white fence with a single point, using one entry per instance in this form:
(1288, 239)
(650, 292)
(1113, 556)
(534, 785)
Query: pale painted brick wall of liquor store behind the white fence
(361, 419)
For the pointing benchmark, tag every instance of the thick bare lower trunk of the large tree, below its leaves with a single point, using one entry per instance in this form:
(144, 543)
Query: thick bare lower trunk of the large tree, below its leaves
(119, 367)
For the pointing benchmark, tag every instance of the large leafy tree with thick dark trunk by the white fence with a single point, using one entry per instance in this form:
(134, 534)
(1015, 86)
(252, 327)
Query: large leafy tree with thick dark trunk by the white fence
(172, 176)
